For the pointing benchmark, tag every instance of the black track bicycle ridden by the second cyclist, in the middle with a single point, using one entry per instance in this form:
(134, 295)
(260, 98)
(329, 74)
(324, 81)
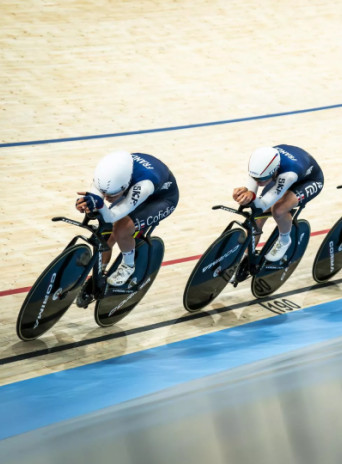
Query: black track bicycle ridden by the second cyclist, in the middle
(223, 262)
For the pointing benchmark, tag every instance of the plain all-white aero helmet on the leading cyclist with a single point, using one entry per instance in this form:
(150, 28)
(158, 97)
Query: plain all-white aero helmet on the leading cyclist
(113, 173)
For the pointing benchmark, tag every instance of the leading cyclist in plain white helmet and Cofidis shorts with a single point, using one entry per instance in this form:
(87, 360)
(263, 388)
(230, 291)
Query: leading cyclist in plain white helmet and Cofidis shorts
(141, 191)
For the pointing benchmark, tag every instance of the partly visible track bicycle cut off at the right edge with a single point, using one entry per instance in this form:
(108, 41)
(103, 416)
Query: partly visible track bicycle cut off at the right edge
(328, 260)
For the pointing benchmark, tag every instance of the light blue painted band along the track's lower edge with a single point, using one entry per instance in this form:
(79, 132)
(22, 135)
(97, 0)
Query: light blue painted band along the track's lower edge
(45, 400)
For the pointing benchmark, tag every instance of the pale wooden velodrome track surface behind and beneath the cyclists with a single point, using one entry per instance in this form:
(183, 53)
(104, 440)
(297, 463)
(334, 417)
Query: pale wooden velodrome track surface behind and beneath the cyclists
(79, 79)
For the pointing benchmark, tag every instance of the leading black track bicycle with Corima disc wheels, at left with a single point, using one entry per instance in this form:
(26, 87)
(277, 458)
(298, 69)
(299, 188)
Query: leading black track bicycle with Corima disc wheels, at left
(61, 282)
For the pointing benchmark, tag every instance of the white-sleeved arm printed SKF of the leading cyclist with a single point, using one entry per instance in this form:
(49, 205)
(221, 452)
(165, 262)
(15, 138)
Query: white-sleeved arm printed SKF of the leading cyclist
(136, 195)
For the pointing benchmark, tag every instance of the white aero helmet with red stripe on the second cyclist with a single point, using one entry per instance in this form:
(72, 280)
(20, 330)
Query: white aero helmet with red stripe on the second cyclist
(263, 163)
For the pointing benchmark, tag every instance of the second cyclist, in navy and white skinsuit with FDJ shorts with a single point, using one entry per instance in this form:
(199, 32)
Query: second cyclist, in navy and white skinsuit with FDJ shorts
(290, 177)
